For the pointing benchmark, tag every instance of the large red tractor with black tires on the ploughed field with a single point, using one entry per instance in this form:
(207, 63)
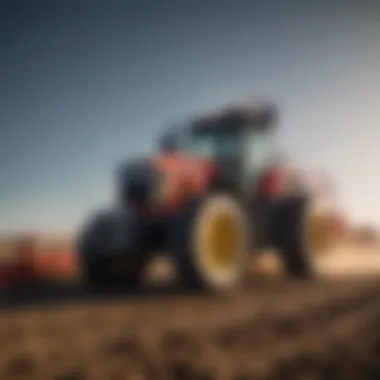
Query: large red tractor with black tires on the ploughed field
(212, 194)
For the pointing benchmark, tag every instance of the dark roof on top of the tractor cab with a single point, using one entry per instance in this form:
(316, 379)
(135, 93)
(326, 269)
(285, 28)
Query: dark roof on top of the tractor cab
(236, 117)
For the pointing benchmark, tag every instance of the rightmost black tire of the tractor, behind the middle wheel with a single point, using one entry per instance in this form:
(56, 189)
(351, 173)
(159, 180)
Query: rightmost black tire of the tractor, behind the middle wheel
(290, 237)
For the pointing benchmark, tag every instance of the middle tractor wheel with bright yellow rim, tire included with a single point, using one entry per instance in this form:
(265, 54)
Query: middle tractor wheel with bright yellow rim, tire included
(210, 243)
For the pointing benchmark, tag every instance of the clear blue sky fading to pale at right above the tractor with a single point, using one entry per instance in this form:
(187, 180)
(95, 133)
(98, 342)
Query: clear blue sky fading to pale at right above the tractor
(86, 83)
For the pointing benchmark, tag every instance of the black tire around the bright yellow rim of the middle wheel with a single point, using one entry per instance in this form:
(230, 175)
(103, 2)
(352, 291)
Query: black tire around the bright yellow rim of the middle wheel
(190, 271)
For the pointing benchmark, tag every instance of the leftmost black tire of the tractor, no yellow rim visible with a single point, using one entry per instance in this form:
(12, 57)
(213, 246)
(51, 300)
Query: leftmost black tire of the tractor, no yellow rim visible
(97, 252)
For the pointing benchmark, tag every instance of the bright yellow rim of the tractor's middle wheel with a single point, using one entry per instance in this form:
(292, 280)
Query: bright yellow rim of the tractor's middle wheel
(220, 242)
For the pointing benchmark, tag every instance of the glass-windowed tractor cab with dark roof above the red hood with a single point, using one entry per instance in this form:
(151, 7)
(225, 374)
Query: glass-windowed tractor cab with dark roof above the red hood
(240, 141)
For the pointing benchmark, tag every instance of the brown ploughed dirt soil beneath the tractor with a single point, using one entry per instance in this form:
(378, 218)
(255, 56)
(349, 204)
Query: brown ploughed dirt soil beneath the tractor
(272, 329)
